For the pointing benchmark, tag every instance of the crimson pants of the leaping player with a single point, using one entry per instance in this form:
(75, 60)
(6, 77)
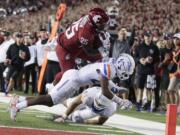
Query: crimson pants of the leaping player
(67, 60)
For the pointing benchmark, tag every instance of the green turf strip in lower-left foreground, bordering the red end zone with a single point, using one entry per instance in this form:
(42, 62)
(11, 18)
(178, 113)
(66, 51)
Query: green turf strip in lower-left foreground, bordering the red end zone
(30, 118)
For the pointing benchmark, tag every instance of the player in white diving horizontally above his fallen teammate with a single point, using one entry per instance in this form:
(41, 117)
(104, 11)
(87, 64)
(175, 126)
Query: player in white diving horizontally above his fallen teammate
(73, 79)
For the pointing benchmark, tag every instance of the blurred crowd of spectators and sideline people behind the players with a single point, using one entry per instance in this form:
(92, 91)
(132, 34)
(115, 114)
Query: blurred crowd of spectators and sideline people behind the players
(133, 24)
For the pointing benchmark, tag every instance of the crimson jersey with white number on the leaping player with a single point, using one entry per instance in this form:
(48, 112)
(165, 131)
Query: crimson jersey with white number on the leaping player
(79, 34)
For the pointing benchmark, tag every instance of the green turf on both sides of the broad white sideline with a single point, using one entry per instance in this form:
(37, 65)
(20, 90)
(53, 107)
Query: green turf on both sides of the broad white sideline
(38, 119)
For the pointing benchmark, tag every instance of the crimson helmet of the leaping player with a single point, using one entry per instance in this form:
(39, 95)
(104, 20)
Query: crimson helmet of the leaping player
(98, 17)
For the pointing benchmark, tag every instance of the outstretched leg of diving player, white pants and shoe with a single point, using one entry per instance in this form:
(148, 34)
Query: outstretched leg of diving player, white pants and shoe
(63, 90)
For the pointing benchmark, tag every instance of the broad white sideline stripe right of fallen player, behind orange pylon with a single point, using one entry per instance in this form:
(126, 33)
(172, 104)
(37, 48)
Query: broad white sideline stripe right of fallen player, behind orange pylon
(145, 127)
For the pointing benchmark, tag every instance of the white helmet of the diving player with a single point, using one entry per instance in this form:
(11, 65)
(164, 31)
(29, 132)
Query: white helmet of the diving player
(125, 66)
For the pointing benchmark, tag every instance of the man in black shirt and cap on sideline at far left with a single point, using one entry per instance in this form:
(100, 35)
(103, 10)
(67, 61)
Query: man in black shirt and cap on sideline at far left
(17, 54)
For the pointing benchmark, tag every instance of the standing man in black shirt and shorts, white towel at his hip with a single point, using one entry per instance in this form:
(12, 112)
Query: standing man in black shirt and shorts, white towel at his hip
(146, 57)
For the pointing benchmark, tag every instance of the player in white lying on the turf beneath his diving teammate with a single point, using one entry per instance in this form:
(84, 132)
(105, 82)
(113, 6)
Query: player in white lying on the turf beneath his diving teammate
(90, 104)
